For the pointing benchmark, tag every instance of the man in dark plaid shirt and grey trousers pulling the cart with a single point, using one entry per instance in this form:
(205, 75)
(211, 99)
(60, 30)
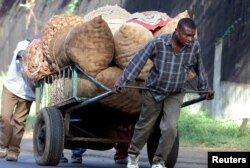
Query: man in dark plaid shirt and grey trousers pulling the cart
(173, 56)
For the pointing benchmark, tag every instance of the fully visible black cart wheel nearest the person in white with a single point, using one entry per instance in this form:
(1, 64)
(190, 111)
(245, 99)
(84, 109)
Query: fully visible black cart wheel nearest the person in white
(48, 137)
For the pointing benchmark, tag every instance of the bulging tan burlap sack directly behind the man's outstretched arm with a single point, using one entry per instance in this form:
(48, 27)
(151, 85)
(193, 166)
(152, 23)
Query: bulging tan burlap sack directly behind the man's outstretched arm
(129, 39)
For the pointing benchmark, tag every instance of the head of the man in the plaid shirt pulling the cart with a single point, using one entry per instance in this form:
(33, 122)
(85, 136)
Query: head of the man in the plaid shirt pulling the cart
(185, 31)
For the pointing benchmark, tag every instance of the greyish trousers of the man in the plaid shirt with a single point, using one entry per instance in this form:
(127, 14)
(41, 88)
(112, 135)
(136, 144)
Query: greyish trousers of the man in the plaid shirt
(149, 113)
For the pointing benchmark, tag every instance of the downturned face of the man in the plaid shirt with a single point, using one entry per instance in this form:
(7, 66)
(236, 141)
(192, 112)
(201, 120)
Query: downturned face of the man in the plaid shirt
(185, 35)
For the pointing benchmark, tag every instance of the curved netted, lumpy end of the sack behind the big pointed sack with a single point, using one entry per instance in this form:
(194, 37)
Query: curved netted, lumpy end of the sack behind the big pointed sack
(56, 23)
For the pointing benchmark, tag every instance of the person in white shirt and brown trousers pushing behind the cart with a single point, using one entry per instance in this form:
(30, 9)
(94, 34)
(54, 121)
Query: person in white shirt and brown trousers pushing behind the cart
(17, 97)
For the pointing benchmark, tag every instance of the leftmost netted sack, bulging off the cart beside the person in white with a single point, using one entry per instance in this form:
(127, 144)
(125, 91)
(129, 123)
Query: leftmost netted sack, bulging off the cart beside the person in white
(35, 64)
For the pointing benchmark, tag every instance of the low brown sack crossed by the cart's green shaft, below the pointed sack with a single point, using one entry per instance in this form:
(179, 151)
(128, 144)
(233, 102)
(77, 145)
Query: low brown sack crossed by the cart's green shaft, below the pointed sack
(128, 101)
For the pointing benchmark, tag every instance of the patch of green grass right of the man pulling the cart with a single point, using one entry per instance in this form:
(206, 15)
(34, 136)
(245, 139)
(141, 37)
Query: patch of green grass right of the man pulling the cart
(201, 130)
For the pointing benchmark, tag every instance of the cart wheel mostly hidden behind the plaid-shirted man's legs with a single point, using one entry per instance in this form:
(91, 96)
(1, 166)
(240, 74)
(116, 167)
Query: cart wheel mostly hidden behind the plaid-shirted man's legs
(153, 143)
